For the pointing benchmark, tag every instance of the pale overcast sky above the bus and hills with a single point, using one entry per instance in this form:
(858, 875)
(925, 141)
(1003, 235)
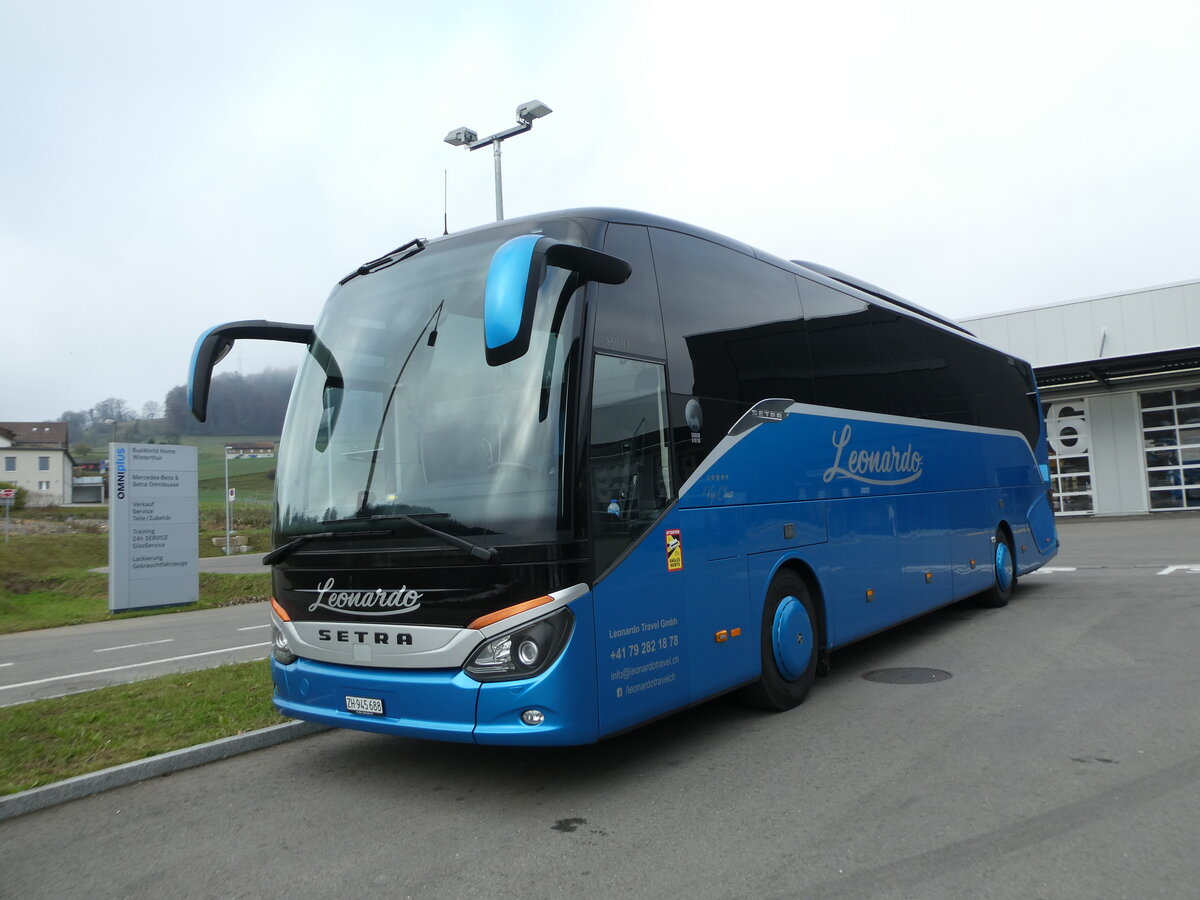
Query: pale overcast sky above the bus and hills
(167, 167)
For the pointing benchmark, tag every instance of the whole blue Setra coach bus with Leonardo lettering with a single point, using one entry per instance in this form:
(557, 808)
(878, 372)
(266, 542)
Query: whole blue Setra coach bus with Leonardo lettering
(550, 479)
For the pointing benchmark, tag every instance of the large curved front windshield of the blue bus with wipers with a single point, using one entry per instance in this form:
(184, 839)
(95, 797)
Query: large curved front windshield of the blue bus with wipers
(395, 412)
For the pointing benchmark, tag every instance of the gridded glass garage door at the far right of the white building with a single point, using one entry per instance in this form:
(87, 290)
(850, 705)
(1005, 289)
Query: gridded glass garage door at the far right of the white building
(1171, 429)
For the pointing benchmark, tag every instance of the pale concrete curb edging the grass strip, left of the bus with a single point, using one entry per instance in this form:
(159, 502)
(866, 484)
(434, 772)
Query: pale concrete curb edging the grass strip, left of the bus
(75, 789)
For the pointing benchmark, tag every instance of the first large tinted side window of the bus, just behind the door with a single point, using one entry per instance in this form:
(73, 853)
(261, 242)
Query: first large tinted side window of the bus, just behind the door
(735, 325)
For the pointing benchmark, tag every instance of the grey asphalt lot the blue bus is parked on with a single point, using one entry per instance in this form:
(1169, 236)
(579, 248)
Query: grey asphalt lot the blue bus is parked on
(1061, 759)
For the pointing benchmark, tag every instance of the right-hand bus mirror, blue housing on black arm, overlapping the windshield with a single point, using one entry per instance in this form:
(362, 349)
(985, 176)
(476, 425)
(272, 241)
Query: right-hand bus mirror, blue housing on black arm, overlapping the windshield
(514, 278)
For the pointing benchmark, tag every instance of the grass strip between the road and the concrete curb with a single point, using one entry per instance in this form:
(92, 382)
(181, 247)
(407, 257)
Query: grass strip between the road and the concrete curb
(49, 741)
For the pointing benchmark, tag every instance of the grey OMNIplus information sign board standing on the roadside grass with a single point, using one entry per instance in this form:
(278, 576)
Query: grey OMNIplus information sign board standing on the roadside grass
(153, 523)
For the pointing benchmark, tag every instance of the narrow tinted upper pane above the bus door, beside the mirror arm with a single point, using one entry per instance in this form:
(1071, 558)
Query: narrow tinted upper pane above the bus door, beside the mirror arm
(628, 319)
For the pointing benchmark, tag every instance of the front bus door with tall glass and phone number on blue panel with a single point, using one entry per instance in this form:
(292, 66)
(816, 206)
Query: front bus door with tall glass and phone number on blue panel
(641, 628)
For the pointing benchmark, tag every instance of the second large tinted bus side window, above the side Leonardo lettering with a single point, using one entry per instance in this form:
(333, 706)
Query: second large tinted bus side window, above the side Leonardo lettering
(847, 363)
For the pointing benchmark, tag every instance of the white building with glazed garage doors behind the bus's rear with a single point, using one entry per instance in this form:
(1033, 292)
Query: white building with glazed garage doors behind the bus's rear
(1120, 381)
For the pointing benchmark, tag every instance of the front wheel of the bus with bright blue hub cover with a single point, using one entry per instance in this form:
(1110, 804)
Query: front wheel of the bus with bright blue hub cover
(789, 646)
